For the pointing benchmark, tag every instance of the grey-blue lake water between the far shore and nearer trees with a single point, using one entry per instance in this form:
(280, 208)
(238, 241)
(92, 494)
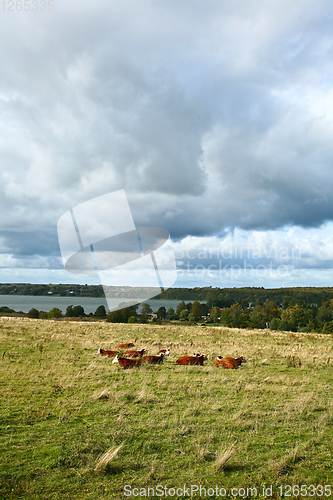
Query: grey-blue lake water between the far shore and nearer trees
(45, 303)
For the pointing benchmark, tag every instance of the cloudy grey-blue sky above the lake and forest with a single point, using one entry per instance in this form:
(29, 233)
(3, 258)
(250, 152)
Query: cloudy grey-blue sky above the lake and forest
(215, 117)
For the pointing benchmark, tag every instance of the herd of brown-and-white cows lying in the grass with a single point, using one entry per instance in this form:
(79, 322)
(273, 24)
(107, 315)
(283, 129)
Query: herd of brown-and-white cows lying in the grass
(130, 358)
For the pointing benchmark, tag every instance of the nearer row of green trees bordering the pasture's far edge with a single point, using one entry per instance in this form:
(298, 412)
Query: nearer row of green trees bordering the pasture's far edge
(291, 314)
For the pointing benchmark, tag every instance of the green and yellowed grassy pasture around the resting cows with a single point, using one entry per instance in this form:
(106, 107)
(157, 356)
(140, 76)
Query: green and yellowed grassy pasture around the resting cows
(63, 406)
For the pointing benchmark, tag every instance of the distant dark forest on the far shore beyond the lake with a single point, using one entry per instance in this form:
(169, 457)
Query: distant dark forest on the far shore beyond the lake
(222, 297)
